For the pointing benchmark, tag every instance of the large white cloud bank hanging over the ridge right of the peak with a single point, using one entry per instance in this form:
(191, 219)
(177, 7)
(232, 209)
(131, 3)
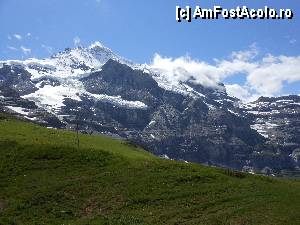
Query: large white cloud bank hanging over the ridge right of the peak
(265, 76)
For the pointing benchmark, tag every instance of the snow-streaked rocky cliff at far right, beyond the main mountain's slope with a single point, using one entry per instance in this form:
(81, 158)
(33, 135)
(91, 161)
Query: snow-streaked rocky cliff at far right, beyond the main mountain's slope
(278, 120)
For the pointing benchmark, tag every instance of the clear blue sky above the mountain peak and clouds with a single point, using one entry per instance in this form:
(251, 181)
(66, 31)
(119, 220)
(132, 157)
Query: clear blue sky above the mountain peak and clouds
(138, 29)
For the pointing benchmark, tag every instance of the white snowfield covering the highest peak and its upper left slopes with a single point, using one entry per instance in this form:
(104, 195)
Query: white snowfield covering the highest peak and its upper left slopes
(57, 77)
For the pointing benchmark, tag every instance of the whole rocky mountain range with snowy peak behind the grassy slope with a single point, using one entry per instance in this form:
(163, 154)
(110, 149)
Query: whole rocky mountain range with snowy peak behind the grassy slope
(184, 120)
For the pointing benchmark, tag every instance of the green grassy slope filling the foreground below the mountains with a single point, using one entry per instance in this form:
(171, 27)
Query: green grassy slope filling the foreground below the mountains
(44, 179)
